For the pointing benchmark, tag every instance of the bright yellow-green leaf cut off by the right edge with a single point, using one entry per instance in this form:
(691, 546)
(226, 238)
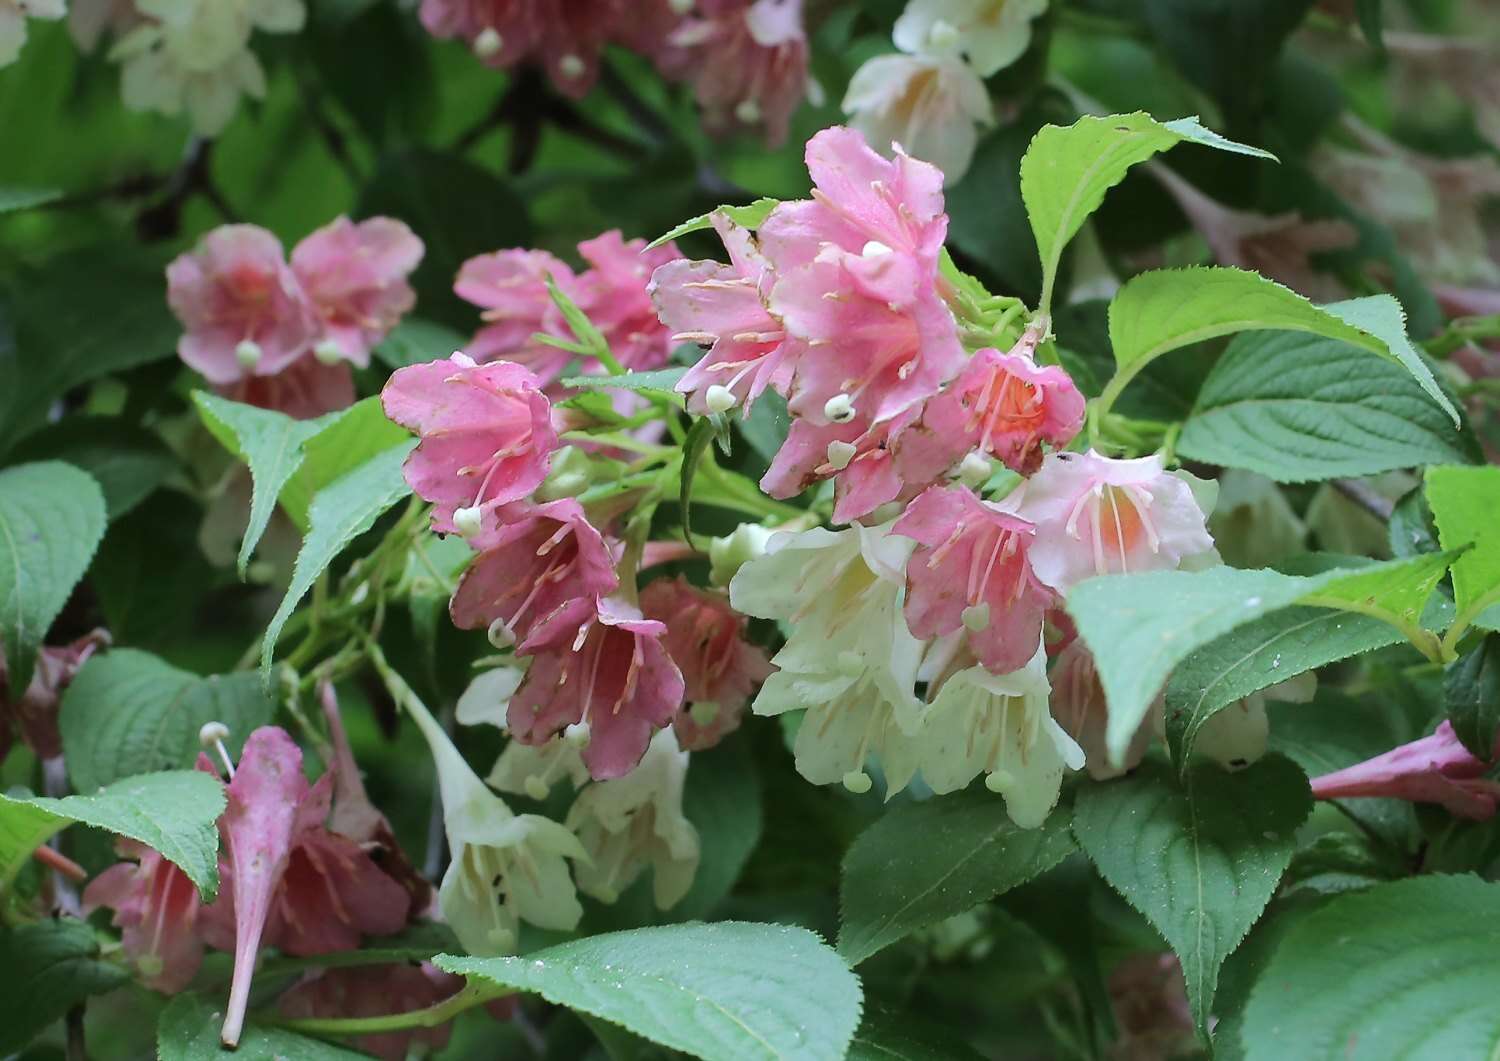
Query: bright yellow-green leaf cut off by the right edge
(1466, 506)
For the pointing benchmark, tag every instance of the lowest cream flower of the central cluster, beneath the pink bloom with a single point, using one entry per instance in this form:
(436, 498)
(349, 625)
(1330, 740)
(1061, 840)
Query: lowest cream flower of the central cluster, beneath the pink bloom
(1000, 726)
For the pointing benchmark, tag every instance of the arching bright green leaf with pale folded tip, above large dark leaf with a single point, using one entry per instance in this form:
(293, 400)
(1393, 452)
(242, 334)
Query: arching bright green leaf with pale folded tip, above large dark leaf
(1169, 308)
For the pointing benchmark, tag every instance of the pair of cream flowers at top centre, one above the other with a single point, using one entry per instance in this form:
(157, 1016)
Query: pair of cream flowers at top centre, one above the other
(931, 95)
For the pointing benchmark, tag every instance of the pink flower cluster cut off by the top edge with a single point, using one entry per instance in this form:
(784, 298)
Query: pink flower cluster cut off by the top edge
(745, 59)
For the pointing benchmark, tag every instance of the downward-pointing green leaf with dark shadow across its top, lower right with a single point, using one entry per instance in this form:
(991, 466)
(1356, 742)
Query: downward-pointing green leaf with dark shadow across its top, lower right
(1201, 859)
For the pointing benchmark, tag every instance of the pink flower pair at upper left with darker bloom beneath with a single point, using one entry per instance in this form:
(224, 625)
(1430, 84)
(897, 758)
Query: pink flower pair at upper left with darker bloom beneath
(283, 335)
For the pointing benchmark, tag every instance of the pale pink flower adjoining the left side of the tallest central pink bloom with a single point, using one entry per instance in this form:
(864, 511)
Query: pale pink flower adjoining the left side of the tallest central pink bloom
(725, 308)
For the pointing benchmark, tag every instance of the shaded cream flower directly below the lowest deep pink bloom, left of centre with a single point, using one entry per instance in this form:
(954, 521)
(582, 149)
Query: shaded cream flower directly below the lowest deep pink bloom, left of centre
(637, 822)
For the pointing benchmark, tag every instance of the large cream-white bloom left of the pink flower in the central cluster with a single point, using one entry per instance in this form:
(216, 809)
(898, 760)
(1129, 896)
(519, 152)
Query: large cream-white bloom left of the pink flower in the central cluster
(850, 658)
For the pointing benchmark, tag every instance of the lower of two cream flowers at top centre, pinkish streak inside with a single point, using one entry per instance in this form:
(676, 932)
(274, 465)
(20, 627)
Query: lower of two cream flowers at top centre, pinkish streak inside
(932, 106)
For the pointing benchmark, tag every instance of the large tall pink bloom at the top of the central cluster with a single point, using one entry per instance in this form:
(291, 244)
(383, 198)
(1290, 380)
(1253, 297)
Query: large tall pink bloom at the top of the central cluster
(857, 281)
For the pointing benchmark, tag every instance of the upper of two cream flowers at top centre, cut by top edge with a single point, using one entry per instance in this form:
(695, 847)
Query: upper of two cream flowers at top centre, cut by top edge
(989, 34)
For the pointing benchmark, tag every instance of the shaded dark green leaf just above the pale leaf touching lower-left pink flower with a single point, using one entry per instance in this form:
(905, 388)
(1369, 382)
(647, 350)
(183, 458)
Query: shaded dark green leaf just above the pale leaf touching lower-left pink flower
(131, 714)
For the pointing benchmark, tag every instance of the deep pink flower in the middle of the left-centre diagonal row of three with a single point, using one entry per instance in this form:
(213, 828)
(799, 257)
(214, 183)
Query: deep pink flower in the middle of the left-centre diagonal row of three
(538, 571)
